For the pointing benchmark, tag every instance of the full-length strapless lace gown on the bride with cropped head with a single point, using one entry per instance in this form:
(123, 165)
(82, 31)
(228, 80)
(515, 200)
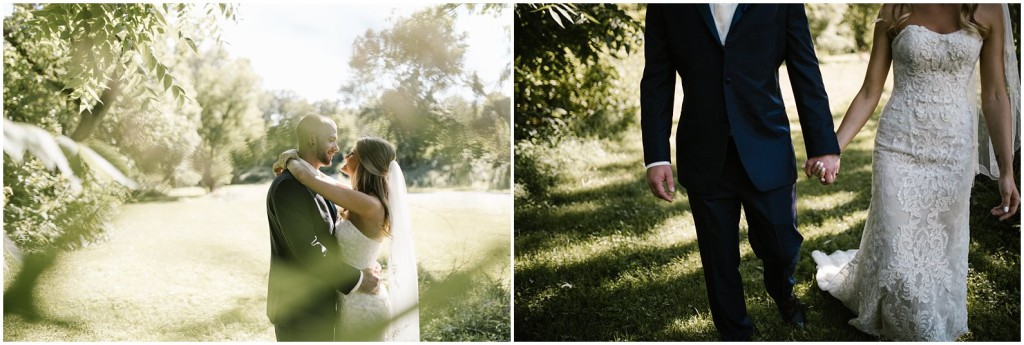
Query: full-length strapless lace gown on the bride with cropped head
(909, 280)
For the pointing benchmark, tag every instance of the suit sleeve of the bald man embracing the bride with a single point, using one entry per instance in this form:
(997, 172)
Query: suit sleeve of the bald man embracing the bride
(298, 221)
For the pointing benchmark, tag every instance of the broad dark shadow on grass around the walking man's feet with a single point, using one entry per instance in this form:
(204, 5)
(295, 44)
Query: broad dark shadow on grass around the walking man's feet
(576, 304)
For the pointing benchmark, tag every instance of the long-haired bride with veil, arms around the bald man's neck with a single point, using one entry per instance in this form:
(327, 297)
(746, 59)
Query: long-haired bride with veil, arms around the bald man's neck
(373, 209)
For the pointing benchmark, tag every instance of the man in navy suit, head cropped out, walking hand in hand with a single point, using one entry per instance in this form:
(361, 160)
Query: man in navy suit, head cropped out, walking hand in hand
(733, 142)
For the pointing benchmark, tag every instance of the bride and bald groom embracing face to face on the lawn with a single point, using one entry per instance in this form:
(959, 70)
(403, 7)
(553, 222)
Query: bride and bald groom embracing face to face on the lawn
(325, 282)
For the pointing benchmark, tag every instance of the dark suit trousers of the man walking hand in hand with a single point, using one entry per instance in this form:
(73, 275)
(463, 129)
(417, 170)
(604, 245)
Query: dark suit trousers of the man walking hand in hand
(772, 218)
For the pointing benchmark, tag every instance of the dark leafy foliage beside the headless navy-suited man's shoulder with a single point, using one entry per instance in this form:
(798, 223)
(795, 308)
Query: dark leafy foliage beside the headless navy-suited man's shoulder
(566, 81)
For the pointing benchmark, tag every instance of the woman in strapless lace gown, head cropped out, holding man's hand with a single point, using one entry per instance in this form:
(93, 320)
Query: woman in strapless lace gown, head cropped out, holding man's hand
(909, 280)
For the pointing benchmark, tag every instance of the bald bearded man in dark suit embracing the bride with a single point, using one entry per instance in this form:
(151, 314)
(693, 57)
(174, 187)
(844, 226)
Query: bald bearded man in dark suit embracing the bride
(307, 271)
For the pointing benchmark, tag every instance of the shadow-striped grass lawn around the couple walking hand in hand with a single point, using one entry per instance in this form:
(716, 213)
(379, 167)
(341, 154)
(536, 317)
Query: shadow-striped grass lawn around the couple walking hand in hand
(599, 258)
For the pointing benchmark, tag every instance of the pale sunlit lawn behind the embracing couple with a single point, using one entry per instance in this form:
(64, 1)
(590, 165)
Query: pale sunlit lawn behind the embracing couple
(196, 270)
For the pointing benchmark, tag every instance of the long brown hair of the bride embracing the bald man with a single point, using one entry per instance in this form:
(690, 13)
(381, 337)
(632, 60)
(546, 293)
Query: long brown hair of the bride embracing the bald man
(371, 175)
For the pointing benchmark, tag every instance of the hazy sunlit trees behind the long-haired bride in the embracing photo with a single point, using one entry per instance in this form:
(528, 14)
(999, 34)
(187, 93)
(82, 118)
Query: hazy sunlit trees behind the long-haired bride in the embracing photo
(406, 78)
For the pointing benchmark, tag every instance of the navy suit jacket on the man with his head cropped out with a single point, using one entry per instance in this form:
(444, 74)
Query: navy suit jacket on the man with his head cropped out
(732, 90)
